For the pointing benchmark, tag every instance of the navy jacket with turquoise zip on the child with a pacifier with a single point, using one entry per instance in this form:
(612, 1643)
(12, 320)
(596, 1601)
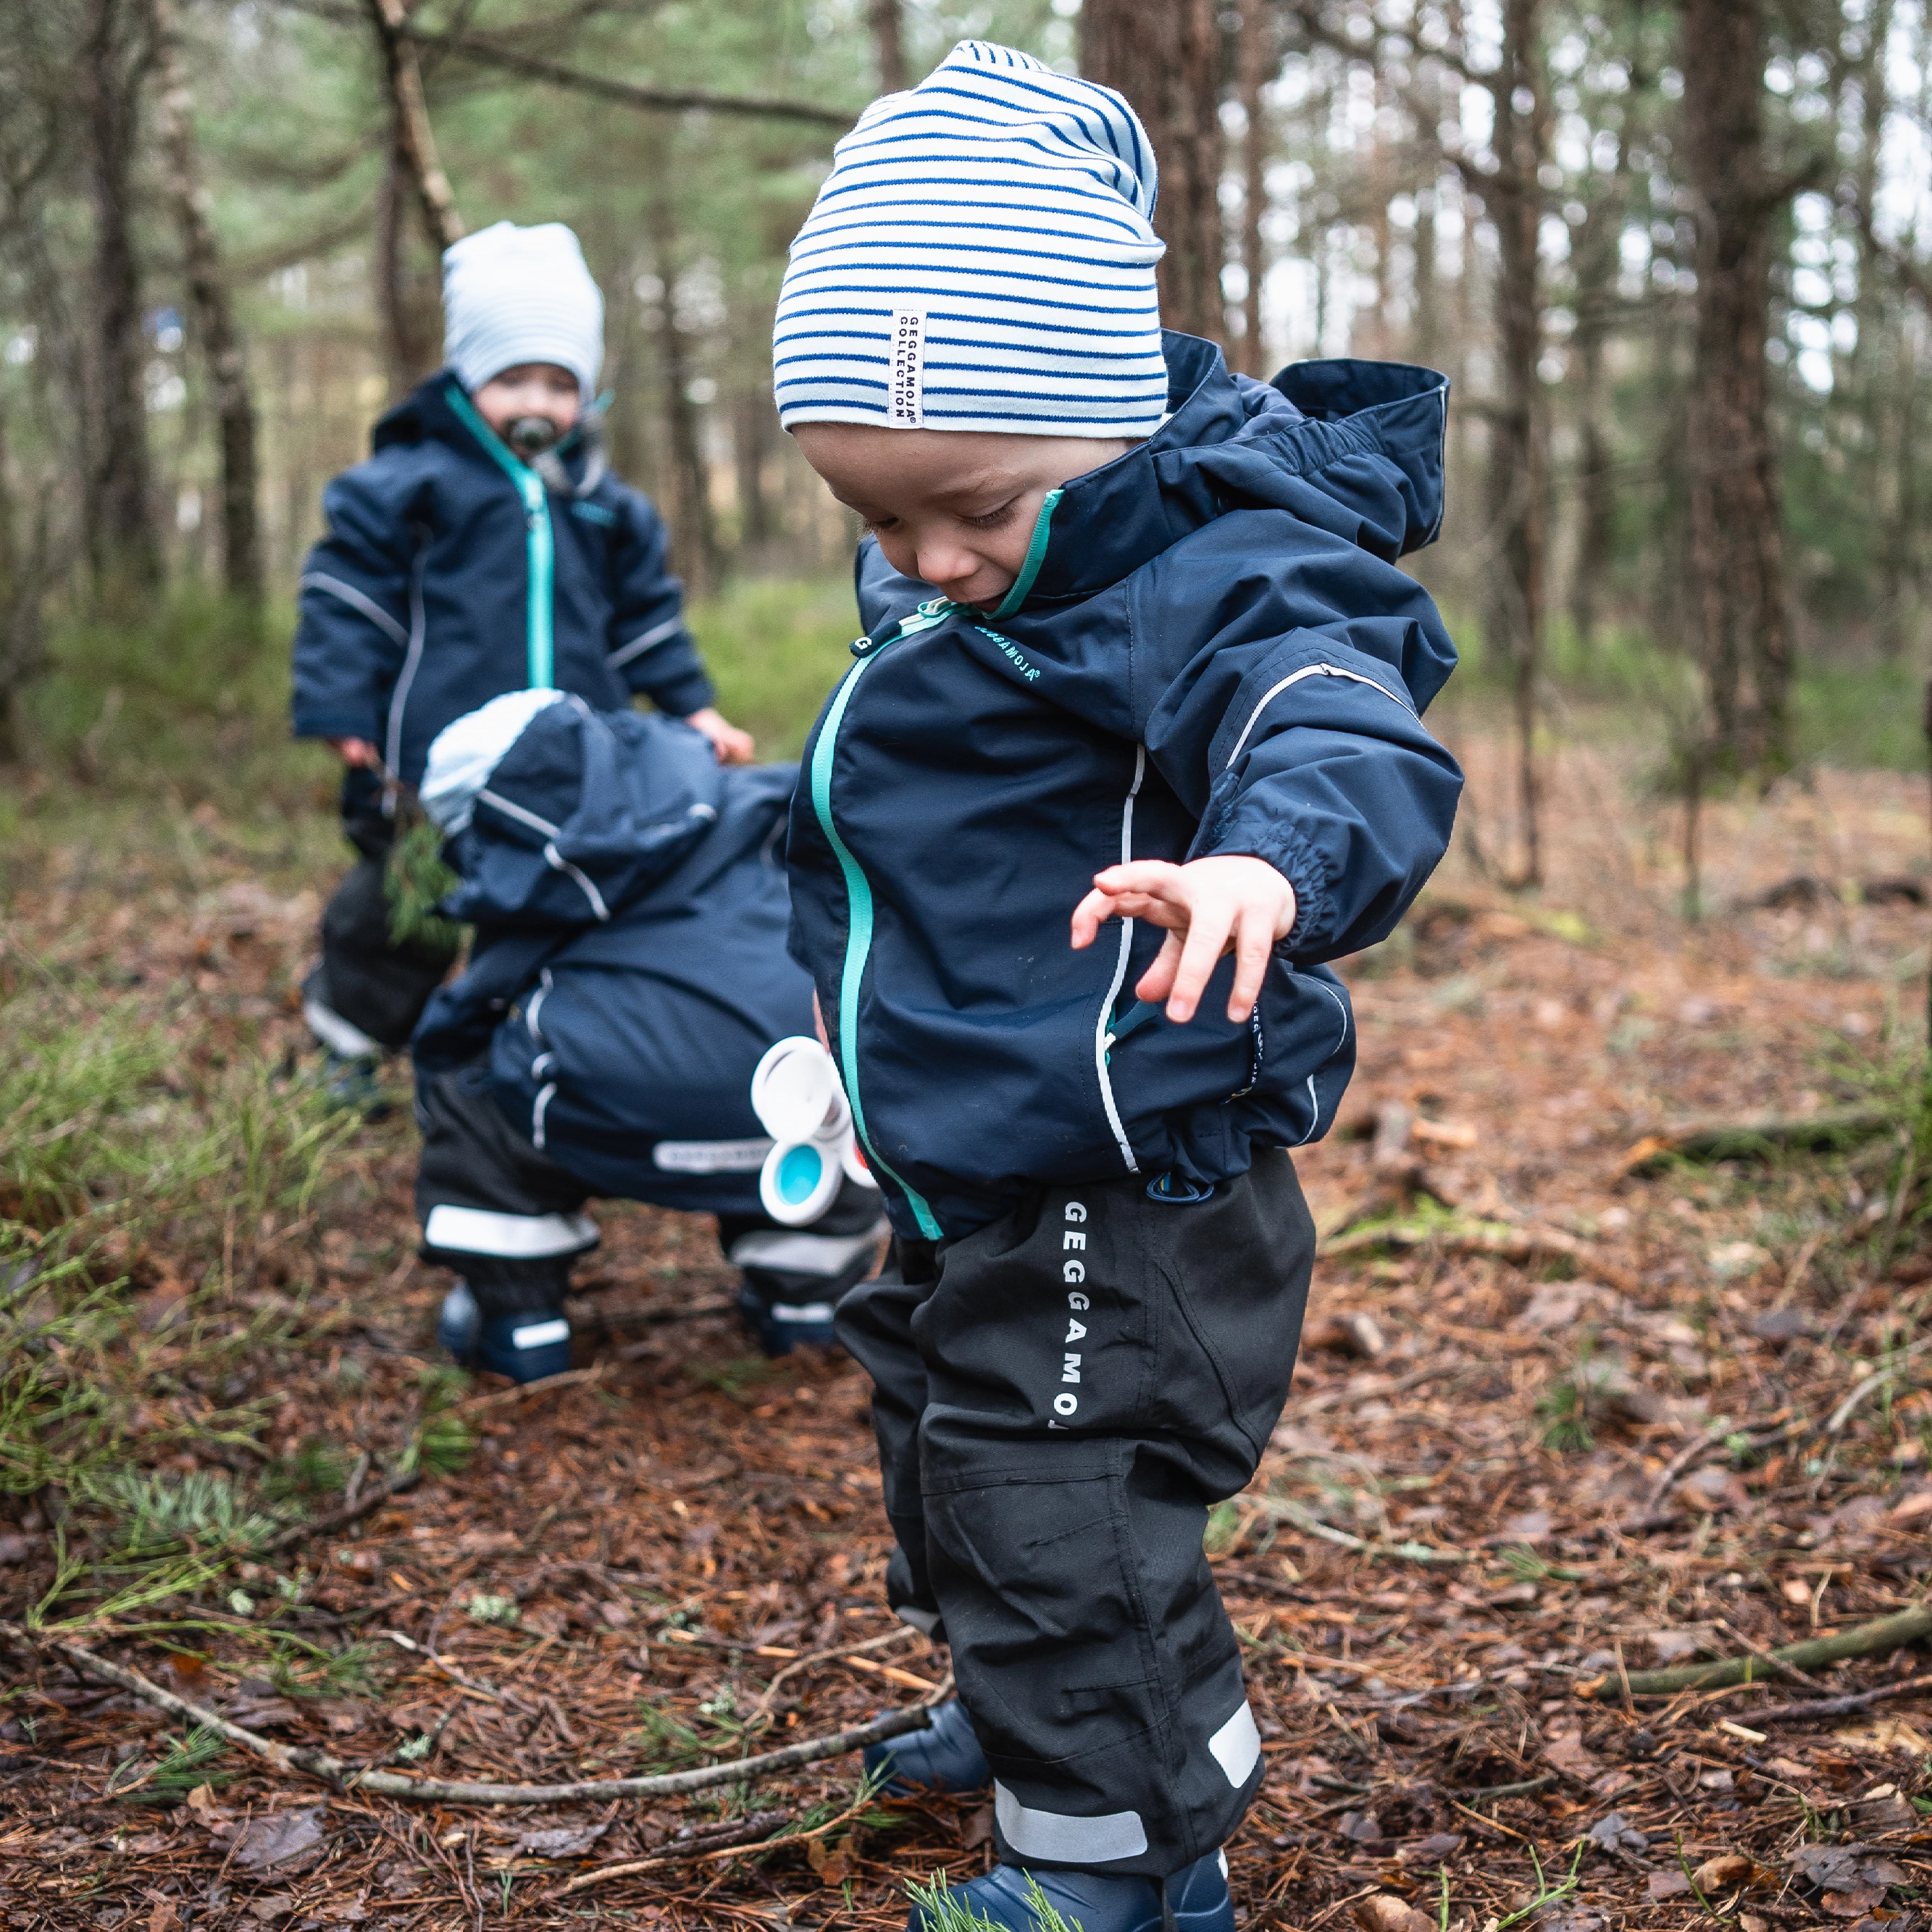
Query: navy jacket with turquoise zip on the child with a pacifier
(451, 575)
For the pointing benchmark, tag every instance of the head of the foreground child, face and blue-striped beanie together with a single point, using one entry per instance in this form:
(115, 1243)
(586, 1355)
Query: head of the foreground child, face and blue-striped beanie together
(980, 262)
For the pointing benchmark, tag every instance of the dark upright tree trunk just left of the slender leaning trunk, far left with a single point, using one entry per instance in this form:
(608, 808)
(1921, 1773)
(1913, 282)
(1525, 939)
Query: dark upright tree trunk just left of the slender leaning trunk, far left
(119, 511)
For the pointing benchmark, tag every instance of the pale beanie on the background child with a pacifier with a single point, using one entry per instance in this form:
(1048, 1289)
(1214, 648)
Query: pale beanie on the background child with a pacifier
(519, 297)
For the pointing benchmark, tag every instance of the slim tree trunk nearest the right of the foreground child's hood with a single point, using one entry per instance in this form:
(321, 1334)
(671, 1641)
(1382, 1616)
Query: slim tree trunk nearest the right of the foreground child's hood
(1516, 480)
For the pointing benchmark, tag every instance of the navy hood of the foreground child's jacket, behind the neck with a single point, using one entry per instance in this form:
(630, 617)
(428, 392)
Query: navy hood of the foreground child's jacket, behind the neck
(1232, 443)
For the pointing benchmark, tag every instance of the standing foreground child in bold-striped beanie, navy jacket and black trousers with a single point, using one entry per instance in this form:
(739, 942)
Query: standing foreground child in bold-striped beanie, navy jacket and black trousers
(1131, 749)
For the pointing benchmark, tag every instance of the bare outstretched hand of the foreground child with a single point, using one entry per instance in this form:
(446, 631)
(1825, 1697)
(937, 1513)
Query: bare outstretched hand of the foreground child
(1208, 907)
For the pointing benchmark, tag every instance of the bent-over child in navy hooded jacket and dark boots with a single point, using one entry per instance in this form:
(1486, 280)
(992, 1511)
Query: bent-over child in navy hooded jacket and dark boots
(627, 977)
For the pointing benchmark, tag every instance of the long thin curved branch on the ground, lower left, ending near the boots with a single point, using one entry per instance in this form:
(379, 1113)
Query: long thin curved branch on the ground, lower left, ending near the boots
(331, 1771)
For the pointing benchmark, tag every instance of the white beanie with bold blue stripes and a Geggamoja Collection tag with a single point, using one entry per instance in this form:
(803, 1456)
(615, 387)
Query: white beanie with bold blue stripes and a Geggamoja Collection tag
(980, 258)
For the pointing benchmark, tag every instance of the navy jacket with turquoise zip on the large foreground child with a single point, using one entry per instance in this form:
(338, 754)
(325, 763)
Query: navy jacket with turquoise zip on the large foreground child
(1208, 650)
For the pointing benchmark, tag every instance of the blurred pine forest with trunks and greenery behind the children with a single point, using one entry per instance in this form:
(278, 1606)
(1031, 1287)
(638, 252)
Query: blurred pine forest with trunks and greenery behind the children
(1674, 258)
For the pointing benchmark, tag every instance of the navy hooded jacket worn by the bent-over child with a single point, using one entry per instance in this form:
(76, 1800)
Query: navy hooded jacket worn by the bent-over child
(629, 965)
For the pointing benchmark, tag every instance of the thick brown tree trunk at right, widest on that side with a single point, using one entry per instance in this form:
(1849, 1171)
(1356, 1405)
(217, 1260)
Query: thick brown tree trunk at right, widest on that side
(1738, 584)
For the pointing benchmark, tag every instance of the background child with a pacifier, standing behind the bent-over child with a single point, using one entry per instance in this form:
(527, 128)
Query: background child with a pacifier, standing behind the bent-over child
(484, 548)
